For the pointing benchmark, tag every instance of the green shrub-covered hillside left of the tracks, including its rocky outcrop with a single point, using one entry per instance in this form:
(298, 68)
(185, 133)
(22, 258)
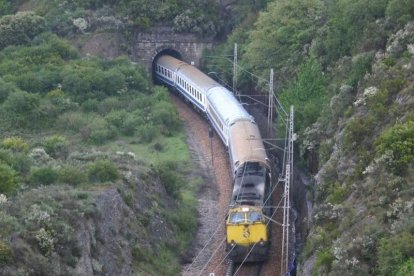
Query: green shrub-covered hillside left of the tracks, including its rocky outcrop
(96, 176)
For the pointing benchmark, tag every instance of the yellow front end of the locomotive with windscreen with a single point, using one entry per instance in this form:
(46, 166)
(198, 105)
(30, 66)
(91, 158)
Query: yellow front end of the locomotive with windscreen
(247, 234)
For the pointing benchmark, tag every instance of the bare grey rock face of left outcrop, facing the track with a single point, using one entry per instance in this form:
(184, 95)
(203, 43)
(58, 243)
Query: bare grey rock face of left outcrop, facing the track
(110, 237)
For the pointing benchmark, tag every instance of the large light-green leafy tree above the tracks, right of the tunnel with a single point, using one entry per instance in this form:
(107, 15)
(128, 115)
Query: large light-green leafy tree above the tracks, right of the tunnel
(280, 35)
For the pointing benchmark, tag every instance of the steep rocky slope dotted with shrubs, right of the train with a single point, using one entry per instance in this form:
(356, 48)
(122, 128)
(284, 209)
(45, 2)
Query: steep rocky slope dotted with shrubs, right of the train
(360, 202)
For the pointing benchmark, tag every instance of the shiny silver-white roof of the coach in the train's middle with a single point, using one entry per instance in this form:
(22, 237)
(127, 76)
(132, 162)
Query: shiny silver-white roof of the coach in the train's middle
(226, 105)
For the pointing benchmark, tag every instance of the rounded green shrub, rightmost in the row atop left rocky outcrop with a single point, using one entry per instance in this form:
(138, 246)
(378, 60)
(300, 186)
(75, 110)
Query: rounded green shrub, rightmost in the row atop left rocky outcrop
(102, 171)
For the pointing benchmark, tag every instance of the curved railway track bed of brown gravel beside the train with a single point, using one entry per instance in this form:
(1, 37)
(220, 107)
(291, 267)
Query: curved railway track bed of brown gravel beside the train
(214, 209)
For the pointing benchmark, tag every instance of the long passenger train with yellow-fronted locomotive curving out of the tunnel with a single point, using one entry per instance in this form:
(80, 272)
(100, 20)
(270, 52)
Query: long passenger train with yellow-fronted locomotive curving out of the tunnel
(247, 222)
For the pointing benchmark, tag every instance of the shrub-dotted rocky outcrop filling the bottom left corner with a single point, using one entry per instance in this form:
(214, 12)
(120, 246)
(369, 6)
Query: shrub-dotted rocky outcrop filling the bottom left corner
(104, 230)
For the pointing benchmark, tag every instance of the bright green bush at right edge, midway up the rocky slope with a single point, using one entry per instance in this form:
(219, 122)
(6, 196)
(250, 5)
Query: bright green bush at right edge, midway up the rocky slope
(399, 140)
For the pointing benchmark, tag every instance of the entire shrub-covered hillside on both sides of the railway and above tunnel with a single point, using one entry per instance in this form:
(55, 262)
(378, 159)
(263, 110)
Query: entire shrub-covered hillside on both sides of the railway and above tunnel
(86, 141)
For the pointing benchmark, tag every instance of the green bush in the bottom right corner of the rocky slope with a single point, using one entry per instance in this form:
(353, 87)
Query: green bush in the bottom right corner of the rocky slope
(394, 252)
